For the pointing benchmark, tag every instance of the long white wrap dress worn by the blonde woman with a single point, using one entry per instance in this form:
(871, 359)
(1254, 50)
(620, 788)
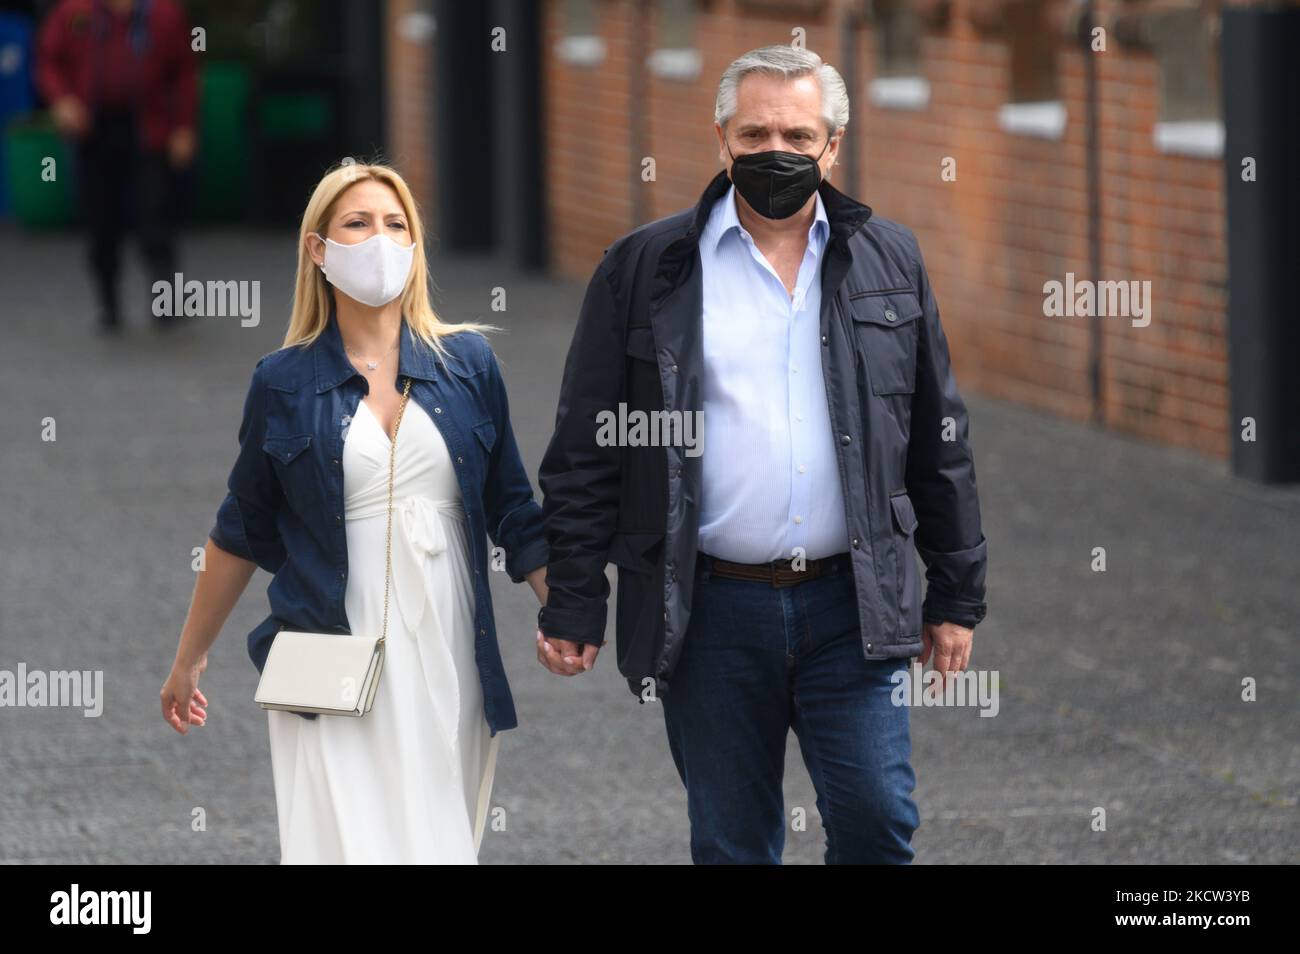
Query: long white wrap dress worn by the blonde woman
(409, 782)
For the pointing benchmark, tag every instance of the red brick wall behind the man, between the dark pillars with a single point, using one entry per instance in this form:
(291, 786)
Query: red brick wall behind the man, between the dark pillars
(1015, 219)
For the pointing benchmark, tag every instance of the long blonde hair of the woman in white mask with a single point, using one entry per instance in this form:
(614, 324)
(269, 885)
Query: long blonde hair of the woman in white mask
(310, 314)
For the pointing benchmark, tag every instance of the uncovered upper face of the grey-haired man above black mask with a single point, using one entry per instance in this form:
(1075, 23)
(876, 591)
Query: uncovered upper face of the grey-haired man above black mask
(777, 114)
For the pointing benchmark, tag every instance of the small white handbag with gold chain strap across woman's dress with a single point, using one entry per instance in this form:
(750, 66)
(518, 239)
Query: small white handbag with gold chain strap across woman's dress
(332, 674)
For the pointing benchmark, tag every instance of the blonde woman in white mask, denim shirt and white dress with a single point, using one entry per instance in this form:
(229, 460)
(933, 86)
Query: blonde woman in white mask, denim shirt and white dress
(307, 501)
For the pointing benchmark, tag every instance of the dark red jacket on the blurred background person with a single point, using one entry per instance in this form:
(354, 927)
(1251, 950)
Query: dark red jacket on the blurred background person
(90, 53)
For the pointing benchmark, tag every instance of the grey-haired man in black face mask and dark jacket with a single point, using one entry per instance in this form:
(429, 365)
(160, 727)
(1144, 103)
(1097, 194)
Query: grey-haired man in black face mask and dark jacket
(769, 583)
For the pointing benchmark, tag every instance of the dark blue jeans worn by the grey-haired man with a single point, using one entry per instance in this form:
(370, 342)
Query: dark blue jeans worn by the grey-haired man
(757, 662)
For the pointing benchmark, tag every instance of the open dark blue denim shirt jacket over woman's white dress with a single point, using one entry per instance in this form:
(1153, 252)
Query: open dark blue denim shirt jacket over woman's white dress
(285, 505)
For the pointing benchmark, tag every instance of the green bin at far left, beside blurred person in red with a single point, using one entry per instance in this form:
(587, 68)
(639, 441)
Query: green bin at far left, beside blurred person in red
(38, 174)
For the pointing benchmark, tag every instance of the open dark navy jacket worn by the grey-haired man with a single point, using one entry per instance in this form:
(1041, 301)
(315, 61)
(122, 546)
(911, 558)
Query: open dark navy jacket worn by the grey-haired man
(900, 428)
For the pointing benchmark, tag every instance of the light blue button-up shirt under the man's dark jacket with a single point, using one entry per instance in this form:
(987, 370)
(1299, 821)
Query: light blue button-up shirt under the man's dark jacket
(772, 484)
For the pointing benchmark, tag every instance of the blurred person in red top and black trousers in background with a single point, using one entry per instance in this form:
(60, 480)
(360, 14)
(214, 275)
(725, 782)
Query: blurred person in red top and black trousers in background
(120, 81)
